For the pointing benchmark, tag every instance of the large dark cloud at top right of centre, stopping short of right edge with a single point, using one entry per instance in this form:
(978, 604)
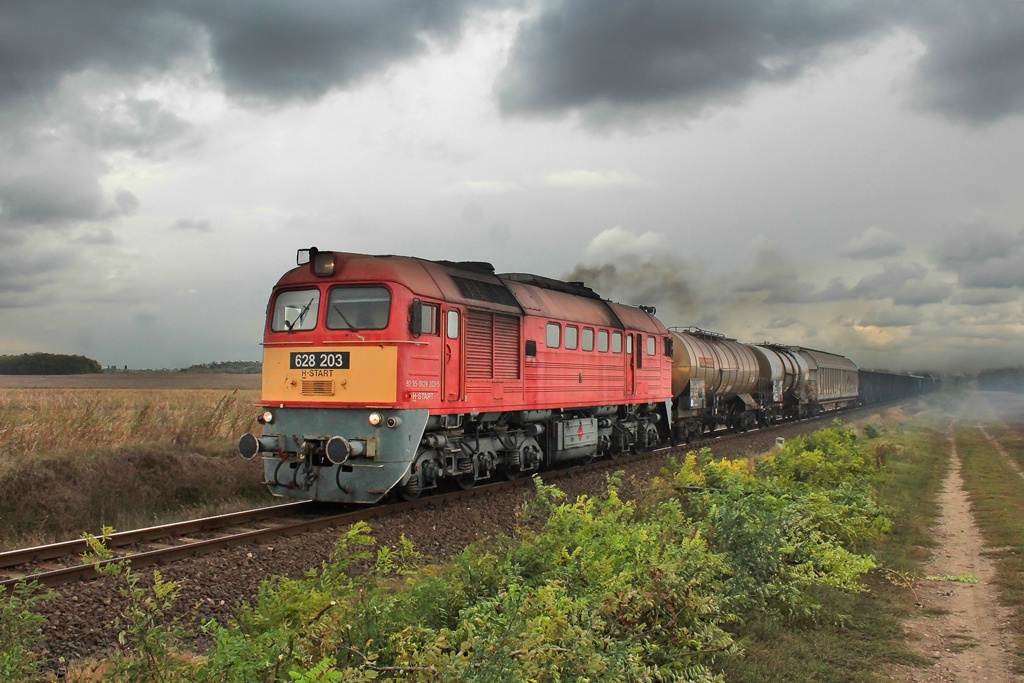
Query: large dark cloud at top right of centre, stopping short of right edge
(584, 54)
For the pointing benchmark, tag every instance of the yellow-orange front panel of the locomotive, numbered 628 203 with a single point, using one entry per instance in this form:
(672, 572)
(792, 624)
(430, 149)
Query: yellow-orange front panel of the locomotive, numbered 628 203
(369, 376)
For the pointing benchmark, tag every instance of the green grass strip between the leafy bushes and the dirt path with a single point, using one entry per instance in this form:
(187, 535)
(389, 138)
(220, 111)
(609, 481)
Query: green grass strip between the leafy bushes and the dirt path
(856, 636)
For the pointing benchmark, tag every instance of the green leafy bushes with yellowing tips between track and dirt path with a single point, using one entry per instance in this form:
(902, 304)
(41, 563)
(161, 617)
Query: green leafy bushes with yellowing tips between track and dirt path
(593, 589)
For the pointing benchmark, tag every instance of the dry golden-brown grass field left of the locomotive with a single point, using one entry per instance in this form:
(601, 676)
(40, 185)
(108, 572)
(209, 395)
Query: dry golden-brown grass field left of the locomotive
(74, 459)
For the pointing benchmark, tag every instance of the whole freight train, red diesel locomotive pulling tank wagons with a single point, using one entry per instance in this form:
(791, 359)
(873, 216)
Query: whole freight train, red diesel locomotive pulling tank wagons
(394, 375)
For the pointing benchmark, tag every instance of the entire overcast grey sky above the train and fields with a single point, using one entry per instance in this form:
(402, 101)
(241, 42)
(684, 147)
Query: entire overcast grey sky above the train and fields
(846, 176)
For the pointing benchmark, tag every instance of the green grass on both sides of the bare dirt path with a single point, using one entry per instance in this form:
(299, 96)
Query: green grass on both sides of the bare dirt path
(860, 637)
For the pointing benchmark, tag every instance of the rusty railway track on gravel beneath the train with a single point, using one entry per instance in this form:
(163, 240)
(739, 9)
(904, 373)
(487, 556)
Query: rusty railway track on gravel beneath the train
(60, 564)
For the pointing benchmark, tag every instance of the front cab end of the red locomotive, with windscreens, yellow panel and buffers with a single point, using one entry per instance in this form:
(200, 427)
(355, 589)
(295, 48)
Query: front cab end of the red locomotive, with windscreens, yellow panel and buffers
(335, 425)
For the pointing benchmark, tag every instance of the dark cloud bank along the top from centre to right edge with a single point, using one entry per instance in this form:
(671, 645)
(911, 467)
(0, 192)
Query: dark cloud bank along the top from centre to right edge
(607, 58)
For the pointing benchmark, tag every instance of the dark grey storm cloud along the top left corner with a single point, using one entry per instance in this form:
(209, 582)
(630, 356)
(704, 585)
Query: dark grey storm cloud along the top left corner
(266, 50)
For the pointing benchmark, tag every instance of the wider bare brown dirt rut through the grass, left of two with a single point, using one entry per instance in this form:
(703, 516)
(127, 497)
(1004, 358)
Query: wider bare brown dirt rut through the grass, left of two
(964, 628)
